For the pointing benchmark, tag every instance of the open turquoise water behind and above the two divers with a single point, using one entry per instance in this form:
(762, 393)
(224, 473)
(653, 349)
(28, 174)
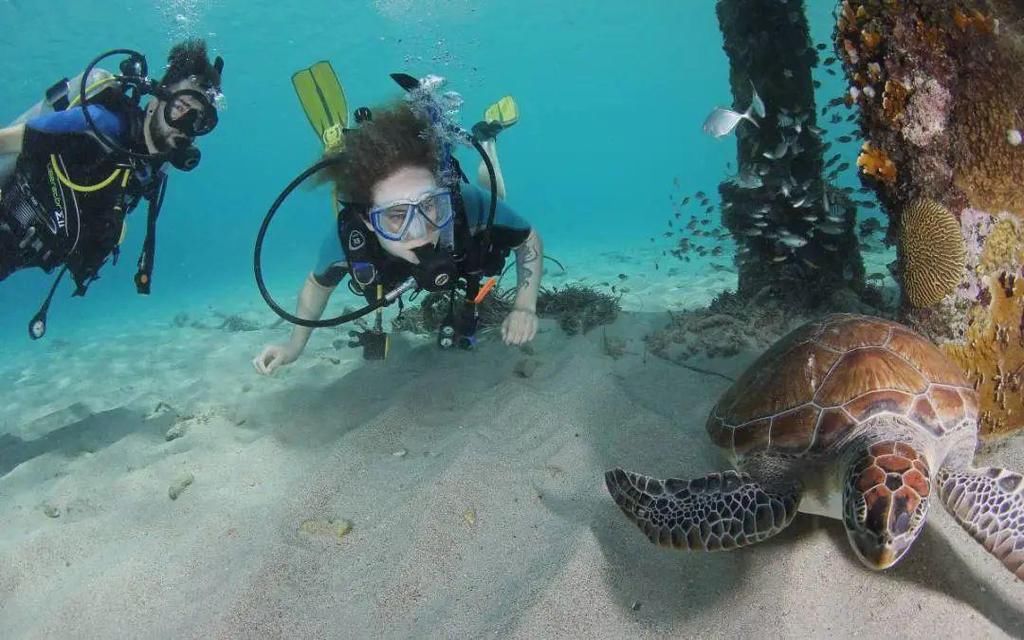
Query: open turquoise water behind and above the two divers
(613, 96)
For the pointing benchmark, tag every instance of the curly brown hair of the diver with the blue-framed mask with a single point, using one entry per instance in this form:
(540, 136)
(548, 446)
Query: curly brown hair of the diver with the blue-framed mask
(396, 139)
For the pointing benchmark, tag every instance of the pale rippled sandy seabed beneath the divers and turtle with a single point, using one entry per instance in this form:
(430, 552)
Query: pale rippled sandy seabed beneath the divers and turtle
(437, 495)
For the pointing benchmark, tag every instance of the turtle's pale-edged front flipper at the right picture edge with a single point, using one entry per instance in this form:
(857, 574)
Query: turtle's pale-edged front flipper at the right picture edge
(990, 504)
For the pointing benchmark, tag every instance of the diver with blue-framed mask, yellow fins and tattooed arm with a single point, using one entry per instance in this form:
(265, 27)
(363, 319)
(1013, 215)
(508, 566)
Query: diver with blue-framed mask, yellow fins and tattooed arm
(408, 220)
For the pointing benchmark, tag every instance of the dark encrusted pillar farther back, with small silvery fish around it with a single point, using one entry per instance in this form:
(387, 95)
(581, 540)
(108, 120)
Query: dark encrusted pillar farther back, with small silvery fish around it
(795, 233)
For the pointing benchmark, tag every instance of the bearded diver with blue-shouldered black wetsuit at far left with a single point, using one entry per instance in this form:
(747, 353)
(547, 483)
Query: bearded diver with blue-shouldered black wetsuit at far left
(78, 163)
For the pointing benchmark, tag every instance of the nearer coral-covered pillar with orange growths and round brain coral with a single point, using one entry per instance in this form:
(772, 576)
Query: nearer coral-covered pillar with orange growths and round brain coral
(941, 88)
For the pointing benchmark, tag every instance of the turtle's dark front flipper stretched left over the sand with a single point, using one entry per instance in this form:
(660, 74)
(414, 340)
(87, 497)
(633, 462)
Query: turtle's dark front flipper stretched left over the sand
(719, 511)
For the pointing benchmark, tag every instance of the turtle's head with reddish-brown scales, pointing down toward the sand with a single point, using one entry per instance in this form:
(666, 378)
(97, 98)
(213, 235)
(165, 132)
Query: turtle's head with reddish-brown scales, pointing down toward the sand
(885, 501)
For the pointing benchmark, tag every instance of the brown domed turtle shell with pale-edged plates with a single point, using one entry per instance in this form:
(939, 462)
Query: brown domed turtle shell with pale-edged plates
(818, 386)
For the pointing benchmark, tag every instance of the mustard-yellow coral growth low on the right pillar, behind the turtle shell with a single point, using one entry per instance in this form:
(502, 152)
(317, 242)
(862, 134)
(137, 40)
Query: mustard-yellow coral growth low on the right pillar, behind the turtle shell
(993, 355)
